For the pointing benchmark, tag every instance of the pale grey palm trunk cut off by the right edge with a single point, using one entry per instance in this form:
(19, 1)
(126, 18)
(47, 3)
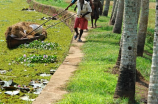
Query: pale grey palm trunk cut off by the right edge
(153, 84)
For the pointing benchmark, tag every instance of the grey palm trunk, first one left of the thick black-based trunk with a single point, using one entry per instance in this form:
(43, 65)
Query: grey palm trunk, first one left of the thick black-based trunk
(119, 17)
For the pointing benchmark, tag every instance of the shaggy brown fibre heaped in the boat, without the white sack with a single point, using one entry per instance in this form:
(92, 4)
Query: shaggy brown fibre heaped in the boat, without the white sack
(18, 30)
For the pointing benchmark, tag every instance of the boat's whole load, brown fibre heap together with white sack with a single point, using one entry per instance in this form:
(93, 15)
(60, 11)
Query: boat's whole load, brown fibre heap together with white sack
(23, 29)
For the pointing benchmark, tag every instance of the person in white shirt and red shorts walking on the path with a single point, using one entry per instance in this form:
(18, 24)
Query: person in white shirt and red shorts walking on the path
(83, 15)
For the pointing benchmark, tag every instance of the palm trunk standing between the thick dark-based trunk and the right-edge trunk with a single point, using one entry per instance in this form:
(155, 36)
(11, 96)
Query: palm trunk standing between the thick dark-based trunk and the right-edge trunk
(142, 26)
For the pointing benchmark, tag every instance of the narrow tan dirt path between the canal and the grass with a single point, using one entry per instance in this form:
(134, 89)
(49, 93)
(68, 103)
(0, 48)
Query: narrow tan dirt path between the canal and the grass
(55, 88)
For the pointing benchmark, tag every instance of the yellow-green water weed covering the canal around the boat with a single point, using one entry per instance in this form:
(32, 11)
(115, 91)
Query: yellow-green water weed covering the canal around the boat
(40, 55)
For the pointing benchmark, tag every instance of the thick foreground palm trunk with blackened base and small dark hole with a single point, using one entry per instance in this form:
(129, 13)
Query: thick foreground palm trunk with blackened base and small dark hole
(126, 81)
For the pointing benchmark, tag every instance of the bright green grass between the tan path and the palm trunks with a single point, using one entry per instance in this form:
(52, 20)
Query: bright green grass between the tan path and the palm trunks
(93, 82)
